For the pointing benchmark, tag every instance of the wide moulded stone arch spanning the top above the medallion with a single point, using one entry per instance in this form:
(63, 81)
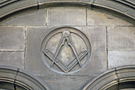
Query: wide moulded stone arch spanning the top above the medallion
(125, 7)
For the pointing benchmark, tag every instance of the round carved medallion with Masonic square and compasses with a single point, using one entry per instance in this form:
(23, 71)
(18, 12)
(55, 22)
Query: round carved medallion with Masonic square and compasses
(65, 50)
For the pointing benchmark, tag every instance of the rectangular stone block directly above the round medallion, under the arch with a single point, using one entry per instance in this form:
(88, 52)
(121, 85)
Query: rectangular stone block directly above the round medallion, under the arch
(66, 16)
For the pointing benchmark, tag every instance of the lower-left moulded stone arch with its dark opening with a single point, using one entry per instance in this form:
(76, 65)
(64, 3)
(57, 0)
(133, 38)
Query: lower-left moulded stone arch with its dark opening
(17, 78)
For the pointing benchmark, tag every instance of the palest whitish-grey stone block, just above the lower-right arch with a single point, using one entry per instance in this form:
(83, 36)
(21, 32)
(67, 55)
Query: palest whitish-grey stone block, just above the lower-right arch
(120, 58)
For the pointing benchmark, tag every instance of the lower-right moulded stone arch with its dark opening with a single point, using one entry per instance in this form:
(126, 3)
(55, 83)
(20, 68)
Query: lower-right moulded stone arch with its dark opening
(120, 78)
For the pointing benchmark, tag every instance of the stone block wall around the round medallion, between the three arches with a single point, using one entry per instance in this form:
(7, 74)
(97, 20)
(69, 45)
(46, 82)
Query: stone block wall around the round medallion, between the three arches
(111, 36)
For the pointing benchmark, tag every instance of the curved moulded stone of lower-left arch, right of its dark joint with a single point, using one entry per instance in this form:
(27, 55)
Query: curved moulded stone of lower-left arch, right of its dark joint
(29, 81)
